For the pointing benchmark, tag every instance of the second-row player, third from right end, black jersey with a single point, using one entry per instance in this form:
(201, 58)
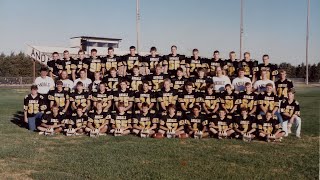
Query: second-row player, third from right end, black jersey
(248, 99)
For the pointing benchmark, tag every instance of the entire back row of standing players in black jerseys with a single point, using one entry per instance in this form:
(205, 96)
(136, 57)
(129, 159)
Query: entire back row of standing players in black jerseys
(170, 63)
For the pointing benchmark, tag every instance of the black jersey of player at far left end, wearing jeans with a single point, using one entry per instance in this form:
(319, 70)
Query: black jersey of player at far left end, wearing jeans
(34, 105)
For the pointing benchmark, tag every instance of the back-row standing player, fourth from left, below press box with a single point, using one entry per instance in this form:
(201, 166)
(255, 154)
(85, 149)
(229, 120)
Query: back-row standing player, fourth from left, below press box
(94, 64)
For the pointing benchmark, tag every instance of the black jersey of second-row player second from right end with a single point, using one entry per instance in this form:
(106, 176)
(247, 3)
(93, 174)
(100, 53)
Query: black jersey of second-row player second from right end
(268, 100)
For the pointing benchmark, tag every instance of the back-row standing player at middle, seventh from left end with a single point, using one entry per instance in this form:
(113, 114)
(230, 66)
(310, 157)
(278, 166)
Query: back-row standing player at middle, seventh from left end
(152, 60)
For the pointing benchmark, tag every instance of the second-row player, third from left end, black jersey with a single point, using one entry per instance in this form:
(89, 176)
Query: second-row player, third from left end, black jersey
(80, 97)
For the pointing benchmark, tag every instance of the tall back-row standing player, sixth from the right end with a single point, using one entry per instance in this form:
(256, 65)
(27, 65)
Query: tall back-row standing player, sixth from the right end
(173, 61)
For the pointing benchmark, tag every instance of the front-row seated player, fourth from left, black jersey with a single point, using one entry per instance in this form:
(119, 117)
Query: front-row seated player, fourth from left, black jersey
(121, 122)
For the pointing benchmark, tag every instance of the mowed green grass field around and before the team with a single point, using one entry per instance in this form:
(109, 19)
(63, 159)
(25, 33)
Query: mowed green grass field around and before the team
(26, 155)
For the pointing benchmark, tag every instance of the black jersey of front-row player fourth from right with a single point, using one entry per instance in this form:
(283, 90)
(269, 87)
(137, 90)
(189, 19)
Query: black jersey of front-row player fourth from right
(197, 122)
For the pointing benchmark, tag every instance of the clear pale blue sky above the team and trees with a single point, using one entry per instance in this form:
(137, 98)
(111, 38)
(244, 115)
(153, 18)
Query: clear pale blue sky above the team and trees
(274, 27)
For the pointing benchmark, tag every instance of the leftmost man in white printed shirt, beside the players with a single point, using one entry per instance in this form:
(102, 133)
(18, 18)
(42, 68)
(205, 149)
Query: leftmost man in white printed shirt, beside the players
(44, 82)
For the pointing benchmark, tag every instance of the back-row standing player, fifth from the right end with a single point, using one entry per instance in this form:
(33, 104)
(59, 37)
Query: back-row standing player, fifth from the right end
(195, 62)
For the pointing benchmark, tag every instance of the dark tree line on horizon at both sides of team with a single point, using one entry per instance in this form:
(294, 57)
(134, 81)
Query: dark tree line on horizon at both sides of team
(21, 65)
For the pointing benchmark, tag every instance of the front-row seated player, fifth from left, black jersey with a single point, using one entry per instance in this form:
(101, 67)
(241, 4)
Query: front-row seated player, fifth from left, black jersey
(145, 123)
